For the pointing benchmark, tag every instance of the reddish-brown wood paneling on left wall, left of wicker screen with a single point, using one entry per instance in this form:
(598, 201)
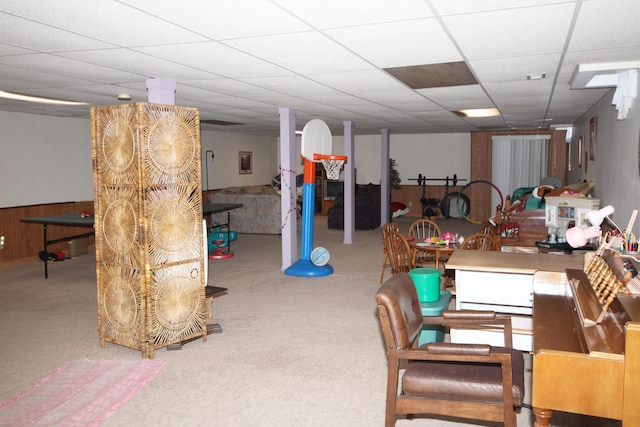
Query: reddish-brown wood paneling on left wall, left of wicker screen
(23, 241)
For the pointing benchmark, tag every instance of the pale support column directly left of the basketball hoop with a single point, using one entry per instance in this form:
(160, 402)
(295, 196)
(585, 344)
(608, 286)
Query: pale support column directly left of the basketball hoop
(288, 175)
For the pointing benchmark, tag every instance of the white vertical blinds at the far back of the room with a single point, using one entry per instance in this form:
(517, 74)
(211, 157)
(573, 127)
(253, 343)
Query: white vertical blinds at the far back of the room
(518, 161)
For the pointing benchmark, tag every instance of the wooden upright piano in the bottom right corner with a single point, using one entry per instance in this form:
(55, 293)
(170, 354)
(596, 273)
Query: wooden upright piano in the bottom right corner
(586, 347)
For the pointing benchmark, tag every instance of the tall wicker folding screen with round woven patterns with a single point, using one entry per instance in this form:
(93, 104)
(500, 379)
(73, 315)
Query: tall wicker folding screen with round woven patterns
(148, 223)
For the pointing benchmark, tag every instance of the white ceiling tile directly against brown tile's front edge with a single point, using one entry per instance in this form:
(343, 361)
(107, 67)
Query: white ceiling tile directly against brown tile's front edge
(394, 44)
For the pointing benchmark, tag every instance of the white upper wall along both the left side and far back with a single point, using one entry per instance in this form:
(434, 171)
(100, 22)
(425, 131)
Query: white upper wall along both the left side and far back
(48, 159)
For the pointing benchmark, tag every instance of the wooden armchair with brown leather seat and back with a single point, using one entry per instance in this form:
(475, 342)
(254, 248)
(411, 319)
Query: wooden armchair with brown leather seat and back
(469, 381)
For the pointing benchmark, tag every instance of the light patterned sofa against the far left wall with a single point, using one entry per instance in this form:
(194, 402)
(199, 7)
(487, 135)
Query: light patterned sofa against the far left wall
(260, 213)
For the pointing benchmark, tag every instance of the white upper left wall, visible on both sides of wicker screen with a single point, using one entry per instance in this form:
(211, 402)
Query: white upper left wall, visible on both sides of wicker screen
(47, 159)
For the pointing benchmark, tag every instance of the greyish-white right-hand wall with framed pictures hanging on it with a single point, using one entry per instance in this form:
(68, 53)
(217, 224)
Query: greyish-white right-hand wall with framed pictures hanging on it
(615, 168)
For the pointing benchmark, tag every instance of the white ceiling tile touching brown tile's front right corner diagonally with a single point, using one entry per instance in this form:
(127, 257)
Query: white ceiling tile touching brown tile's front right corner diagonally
(505, 33)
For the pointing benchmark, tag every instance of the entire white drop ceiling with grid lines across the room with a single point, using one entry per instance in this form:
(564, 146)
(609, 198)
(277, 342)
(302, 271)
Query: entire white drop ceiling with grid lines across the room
(241, 60)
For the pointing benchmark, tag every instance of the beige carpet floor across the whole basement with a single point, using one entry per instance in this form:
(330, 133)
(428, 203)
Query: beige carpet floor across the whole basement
(293, 351)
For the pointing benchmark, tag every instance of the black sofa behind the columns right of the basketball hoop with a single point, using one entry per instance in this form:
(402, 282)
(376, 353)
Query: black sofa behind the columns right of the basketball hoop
(367, 207)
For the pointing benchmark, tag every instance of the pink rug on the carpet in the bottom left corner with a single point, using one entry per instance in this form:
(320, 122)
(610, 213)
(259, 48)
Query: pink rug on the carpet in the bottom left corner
(79, 393)
